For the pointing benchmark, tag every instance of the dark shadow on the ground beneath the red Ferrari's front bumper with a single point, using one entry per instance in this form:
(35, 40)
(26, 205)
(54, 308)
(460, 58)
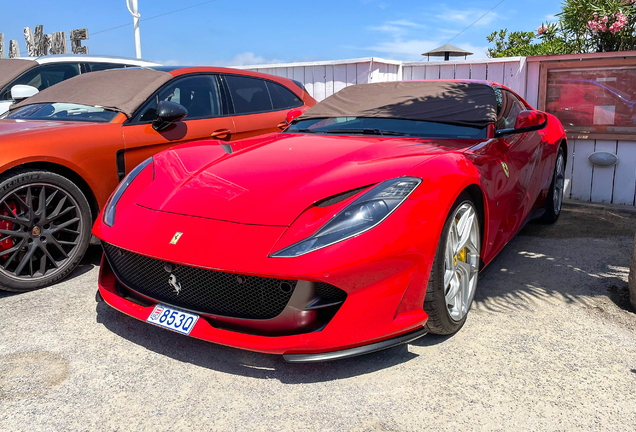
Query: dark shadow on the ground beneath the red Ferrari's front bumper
(240, 362)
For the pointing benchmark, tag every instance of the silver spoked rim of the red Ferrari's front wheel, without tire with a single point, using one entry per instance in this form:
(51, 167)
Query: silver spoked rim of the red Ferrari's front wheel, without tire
(461, 261)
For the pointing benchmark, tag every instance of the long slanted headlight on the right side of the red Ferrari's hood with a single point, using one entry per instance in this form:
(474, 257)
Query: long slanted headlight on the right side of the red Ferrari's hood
(361, 215)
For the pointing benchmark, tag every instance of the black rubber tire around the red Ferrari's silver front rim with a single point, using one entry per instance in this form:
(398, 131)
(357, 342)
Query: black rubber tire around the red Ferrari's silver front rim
(439, 319)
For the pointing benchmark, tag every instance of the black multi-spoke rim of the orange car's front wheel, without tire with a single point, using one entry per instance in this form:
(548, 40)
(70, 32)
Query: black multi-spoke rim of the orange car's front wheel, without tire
(40, 230)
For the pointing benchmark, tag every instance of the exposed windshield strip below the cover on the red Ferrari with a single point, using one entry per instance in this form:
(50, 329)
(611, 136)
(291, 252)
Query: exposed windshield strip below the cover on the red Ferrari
(385, 126)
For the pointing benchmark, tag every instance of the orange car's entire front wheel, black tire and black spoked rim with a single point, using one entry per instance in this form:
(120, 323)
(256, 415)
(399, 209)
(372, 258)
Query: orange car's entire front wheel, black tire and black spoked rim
(54, 237)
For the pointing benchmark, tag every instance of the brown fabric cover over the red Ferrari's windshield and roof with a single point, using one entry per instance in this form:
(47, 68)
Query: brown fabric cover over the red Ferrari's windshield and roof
(456, 102)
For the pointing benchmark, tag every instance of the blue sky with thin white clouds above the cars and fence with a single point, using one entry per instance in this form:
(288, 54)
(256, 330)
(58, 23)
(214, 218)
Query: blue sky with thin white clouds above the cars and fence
(240, 32)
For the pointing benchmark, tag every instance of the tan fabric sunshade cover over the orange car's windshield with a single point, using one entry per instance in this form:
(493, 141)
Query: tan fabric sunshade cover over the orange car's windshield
(122, 90)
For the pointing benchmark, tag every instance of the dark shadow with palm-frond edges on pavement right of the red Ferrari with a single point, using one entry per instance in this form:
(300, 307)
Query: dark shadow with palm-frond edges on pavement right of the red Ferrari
(584, 256)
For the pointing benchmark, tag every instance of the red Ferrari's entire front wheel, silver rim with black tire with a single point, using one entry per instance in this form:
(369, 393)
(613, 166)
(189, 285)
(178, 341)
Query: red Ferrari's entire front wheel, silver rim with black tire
(453, 281)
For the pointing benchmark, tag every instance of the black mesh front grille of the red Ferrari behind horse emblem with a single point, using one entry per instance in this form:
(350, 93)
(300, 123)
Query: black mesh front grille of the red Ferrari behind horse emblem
(205, 291)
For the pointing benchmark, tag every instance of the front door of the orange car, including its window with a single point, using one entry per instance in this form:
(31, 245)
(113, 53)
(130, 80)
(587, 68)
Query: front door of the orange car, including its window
(206, 119)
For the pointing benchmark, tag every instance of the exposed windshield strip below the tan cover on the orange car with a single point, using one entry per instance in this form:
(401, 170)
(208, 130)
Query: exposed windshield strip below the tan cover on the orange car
(63, 112)
